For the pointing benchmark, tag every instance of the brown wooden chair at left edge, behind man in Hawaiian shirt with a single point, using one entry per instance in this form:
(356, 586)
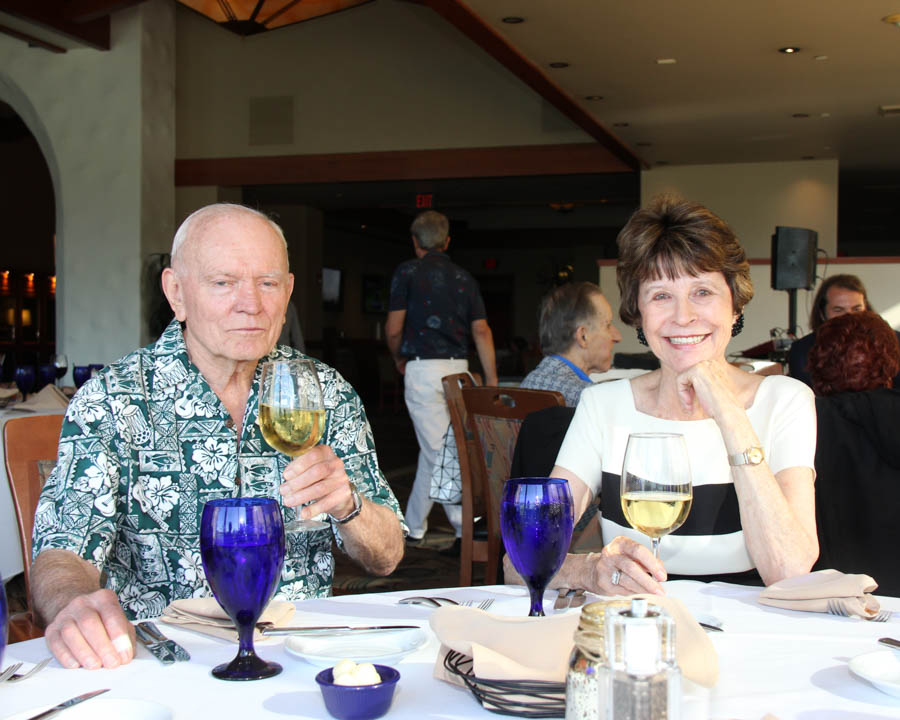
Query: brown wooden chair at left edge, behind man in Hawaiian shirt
(30, 445)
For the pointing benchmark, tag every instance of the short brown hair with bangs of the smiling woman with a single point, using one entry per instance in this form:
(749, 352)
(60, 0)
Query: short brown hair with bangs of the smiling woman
(672, 237)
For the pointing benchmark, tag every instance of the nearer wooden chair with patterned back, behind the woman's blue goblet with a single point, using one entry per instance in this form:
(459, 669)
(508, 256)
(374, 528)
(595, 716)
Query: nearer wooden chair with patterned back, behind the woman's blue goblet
(495, 416)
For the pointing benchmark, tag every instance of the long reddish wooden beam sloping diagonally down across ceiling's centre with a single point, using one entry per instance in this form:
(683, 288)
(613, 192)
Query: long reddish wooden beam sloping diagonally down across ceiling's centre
(462, 17)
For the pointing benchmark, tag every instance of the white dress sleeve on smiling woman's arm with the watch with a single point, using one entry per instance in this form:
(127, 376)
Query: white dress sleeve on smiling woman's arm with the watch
(793, 427)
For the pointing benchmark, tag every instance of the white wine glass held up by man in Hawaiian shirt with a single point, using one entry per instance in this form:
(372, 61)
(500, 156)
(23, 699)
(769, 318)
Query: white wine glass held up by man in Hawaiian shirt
(292, 415)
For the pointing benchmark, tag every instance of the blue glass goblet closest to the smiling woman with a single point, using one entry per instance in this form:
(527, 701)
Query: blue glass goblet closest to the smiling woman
(536, 519)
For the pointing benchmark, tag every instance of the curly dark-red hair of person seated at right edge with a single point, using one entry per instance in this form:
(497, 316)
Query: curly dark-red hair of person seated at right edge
(852, 353)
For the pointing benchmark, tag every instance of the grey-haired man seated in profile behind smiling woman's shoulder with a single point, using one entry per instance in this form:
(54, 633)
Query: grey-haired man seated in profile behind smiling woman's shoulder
(577, 337)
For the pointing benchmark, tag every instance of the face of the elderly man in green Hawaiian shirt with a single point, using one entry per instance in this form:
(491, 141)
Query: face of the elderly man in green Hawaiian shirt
(231, 289)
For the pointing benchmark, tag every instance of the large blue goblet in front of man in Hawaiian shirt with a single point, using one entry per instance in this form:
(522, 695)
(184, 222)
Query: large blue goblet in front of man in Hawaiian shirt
(242, 548)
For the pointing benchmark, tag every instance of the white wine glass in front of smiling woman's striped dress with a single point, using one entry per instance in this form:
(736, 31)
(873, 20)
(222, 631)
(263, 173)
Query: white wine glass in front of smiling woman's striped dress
(656, 490)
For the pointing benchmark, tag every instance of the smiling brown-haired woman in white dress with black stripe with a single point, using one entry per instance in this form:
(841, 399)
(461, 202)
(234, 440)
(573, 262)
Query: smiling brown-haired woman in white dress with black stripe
(684, 281)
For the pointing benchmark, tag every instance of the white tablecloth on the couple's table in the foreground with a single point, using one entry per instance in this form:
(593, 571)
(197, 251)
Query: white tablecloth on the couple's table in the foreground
(782, 663)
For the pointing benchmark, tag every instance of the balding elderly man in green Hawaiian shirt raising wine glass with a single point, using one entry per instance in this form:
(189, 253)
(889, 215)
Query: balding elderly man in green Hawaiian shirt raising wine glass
(172, 425)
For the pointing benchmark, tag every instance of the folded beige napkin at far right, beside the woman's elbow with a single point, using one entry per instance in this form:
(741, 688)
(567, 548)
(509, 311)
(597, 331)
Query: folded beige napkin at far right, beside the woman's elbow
(814, 592)
